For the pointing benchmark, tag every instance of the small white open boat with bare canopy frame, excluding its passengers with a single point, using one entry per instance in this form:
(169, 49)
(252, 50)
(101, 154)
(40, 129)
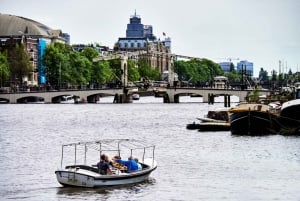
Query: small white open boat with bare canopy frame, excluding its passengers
(79, 173)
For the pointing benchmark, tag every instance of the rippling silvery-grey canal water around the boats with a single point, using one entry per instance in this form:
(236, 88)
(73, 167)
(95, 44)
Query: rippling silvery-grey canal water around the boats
(192, 165)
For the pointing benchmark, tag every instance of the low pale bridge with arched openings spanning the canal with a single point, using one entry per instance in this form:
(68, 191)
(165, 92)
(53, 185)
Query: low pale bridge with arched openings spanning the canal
(170, 95)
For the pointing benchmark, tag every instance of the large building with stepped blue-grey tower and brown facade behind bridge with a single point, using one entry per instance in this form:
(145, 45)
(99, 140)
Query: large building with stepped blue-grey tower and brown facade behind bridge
(140, 37)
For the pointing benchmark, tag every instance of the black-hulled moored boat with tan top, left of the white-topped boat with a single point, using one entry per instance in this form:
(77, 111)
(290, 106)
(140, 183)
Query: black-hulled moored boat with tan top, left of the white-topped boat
(253, 119)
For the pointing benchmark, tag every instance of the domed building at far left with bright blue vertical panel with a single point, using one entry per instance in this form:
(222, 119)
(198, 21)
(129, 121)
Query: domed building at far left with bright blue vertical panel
(35, 37)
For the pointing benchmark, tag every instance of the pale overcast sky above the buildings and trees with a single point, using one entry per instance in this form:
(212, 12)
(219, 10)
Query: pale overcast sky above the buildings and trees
(260, 31)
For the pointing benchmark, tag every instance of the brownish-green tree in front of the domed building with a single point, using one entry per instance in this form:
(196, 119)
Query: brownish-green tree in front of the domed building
(20, 64)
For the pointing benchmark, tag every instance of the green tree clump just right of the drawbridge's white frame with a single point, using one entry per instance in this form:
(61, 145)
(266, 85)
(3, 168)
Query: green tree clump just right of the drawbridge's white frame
(197, 70)
